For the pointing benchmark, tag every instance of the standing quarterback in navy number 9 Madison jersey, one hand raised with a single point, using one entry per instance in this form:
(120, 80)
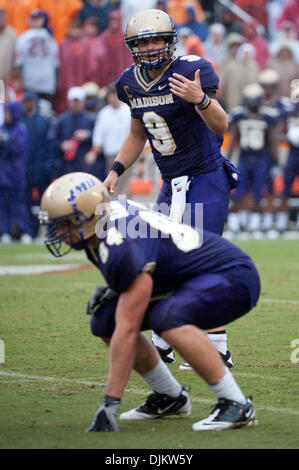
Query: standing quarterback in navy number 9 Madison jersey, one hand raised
(173, 106)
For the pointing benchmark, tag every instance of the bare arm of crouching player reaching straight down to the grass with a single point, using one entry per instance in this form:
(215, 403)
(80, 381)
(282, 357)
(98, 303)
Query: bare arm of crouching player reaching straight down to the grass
(130, 311)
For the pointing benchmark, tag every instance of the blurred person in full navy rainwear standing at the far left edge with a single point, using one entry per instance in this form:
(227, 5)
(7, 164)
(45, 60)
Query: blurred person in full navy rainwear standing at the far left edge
(13, 162)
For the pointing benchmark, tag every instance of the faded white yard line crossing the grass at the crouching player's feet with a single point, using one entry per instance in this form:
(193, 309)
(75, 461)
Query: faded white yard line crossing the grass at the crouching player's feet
(61, 380)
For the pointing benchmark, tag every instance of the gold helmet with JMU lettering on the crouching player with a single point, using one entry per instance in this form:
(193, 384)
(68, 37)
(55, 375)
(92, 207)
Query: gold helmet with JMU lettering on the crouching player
(71, 207)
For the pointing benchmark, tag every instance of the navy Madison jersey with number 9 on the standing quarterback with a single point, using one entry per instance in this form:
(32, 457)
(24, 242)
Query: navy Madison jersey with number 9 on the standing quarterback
(181, 143)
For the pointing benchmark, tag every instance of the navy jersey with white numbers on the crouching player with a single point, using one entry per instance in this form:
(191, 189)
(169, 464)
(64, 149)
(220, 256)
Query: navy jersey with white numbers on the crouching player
(136, 240)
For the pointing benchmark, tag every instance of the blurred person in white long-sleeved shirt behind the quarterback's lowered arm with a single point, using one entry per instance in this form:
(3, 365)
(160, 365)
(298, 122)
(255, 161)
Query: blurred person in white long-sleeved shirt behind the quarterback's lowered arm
(113, 120)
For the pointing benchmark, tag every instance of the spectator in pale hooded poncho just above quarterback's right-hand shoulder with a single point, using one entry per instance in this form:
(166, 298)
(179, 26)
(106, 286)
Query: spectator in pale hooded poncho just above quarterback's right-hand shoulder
(215, 47)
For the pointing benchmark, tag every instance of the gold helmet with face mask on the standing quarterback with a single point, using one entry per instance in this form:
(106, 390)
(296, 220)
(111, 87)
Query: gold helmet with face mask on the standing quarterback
(150, 24)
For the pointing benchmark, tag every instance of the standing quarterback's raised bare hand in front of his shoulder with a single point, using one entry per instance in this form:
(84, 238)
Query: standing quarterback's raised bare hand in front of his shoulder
(188, 90)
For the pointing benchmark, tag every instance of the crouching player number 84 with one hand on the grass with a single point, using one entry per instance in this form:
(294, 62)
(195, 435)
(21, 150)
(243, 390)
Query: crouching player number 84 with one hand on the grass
(164, 276)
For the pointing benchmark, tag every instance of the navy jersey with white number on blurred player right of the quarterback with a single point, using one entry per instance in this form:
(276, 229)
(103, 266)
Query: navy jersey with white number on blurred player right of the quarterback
(253, 129)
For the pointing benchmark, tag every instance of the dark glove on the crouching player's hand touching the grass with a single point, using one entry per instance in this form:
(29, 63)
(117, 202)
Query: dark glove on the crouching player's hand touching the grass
(105, 417)
